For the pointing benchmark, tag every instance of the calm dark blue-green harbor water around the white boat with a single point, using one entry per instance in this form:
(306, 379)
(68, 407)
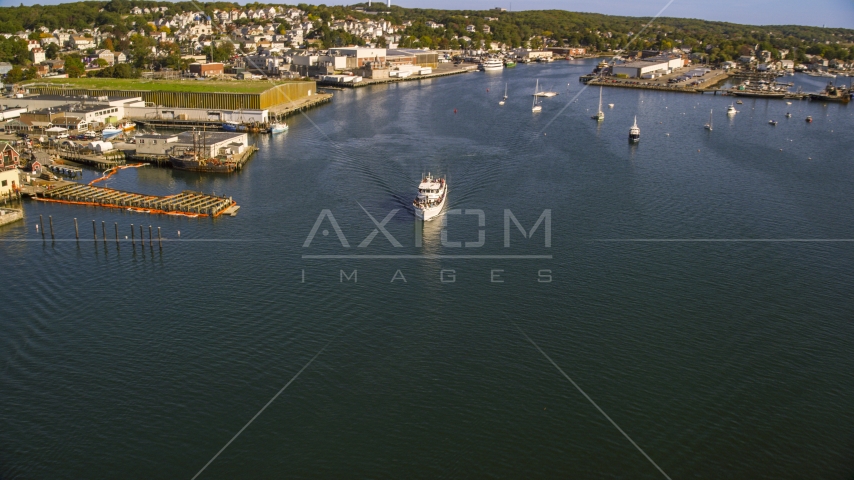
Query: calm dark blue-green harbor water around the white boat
(720, 359)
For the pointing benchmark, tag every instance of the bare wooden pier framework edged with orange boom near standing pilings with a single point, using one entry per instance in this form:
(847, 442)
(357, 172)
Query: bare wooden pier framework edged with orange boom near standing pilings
(187, 203)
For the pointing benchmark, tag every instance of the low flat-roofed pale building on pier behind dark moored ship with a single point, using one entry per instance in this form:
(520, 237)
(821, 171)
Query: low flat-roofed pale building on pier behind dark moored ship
(214, 143)
